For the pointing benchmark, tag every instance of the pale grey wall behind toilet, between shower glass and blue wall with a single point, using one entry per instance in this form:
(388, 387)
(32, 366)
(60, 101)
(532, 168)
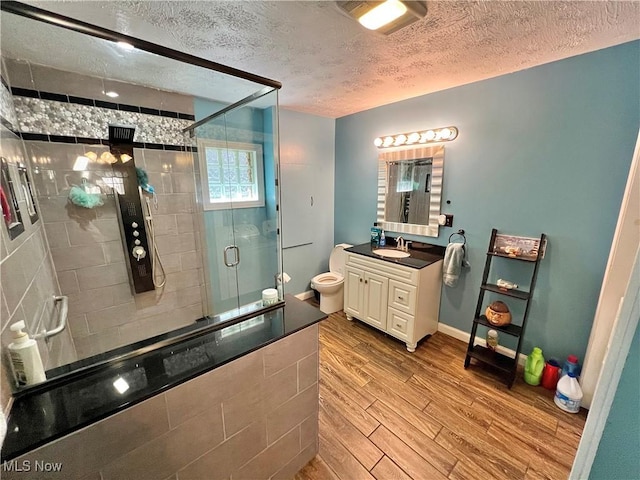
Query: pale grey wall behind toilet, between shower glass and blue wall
(307, 144)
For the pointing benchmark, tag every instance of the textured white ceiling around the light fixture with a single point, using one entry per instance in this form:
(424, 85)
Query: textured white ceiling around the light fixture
(329, 65)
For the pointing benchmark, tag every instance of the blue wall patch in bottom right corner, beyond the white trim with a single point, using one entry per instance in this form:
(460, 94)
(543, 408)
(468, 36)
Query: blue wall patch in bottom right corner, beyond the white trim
(617, 456)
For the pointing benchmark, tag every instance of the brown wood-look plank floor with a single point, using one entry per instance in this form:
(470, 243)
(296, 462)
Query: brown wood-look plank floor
(387, 414)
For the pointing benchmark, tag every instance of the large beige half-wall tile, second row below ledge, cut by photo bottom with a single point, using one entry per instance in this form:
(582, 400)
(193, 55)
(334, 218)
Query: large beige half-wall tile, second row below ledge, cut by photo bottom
(171, 451)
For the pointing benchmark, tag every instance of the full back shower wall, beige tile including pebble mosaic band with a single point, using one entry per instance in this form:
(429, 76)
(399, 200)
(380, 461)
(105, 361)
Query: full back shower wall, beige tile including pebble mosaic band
(85, 244)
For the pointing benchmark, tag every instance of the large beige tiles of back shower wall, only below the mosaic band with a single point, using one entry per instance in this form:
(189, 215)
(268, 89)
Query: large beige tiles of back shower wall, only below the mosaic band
(89, 256)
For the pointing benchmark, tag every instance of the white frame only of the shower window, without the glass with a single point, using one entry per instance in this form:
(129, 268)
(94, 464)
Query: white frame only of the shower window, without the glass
(256, 148)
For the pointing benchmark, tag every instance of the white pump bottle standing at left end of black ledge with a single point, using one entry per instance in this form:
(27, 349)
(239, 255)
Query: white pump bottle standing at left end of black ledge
(25, 357)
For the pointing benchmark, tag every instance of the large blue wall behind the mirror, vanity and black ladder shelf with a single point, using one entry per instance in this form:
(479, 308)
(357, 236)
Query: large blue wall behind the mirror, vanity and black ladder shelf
(543, 150)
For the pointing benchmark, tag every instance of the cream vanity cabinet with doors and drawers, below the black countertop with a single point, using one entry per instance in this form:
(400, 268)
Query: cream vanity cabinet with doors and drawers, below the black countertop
(399, 300)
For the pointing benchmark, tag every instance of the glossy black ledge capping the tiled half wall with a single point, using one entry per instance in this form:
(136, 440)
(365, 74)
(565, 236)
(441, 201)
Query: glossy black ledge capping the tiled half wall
(46, 414)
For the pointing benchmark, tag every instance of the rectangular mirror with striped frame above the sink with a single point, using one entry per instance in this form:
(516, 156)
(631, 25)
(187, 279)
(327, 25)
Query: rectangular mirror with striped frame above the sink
(410, 190)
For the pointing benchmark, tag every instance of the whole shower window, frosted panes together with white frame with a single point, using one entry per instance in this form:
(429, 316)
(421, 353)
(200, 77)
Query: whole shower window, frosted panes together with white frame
(232, 174)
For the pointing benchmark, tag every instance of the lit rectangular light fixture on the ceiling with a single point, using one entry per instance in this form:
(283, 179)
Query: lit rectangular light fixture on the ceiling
(384, 17)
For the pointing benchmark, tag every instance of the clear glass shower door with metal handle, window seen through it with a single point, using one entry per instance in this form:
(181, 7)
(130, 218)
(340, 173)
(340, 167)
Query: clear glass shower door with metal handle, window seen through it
(237, 153)
